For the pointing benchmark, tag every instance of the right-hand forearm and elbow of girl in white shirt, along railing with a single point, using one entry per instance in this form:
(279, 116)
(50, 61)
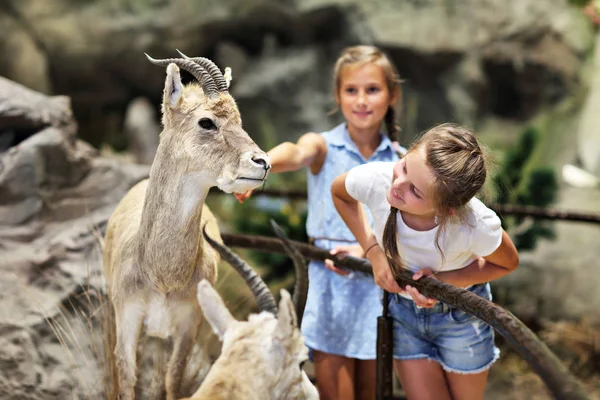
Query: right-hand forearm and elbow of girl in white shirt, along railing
(502, 261)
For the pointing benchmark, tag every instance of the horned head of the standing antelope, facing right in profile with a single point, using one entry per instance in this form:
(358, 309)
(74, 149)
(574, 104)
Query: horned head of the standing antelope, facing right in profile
(202, 129)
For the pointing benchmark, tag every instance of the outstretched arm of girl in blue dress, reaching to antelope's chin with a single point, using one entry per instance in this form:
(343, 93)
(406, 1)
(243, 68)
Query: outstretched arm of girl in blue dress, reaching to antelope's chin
(309, 151)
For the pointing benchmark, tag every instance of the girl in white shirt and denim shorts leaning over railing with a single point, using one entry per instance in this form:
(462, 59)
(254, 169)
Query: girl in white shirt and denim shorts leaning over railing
(427, 219)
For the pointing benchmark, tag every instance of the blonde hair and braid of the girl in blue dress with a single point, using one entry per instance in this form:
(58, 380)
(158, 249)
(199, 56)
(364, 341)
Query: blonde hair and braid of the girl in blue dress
(361, 55)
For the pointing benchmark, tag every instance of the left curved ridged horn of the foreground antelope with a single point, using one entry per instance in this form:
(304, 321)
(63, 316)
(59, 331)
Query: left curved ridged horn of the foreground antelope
(264, 297)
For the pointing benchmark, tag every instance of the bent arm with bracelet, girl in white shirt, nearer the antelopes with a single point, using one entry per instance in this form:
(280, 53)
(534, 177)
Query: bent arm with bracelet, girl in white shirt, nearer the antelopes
(354, 215)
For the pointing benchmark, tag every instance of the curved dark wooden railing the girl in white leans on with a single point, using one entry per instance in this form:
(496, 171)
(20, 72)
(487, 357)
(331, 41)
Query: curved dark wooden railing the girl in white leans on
(556, 376)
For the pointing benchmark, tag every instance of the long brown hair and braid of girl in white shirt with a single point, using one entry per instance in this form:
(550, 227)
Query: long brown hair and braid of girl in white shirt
(459, 166)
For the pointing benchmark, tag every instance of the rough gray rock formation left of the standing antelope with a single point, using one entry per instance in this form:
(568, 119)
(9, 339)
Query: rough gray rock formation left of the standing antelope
(56, 195)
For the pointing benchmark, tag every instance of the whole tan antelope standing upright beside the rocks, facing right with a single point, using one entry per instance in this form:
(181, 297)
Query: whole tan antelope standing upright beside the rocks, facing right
(154, 255)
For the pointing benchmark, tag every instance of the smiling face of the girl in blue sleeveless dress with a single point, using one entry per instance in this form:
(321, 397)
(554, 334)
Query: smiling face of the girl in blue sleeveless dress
(364, 97)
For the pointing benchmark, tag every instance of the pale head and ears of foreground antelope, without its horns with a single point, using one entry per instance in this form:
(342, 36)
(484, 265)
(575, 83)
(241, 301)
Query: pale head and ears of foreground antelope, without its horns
(269, 347)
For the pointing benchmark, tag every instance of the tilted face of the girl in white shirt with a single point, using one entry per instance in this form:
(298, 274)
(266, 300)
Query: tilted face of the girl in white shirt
(412, 185)
